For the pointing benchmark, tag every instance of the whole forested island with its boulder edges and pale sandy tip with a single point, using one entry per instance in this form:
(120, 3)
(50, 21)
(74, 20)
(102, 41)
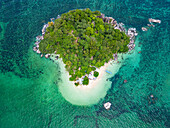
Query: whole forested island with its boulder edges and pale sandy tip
(89, 48)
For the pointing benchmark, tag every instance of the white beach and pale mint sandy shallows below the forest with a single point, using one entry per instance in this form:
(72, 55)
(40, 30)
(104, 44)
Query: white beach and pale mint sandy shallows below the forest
(92, 93)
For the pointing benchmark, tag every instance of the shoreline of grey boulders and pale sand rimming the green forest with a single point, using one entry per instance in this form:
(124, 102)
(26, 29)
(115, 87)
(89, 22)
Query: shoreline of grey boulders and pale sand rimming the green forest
(97, 87)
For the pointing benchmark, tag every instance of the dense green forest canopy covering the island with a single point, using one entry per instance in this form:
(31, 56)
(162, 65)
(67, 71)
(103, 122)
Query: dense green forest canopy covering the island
(83, 41)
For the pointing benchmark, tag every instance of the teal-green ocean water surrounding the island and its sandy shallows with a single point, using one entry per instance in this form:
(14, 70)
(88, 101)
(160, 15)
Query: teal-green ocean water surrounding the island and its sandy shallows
(29, 94)
